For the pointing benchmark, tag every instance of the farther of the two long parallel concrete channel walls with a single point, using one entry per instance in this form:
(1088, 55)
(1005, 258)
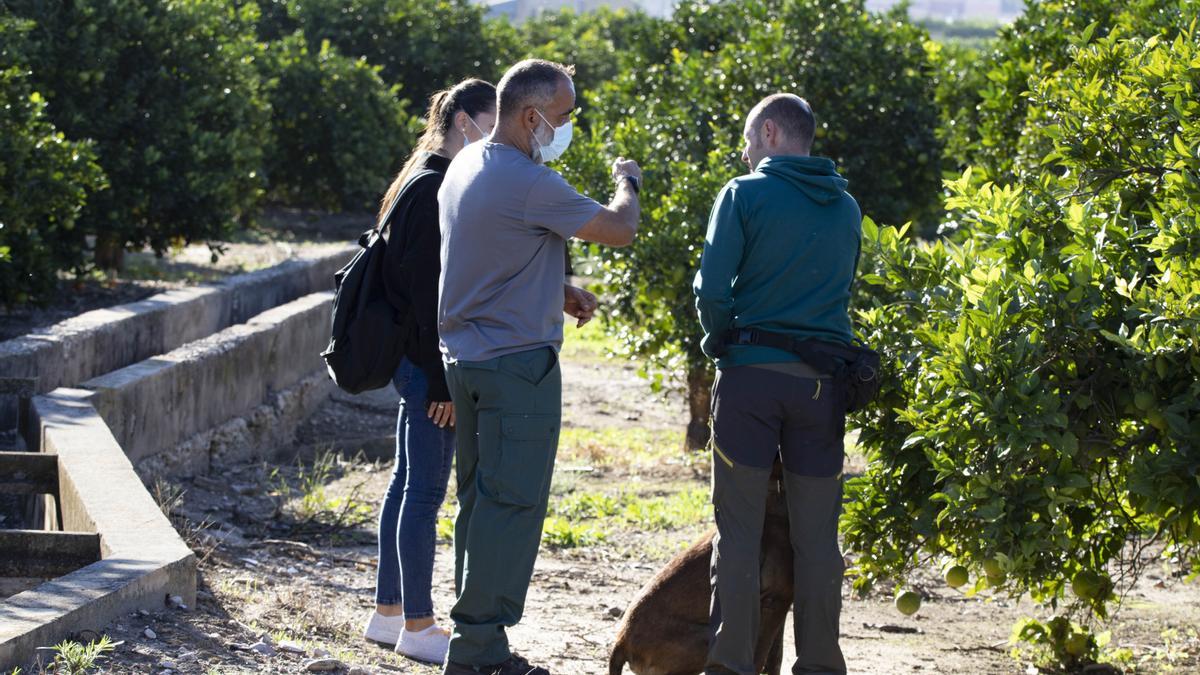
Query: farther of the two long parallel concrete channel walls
(105, 341)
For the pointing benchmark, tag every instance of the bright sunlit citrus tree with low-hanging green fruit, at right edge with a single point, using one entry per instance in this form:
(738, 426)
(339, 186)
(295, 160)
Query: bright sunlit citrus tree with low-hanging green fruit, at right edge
(1041, 425)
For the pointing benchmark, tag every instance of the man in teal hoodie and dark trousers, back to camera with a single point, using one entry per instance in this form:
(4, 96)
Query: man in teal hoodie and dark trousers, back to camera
(779, 262)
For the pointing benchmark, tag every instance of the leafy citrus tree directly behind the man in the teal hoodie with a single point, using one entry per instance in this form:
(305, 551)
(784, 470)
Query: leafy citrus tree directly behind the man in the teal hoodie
(682, 118)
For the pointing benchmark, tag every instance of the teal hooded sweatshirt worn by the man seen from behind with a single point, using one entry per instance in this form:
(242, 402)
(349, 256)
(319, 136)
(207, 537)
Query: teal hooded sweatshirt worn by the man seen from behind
(781, 255)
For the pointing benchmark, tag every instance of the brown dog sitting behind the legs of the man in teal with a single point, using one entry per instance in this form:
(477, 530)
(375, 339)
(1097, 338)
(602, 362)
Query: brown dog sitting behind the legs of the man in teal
(667, 630)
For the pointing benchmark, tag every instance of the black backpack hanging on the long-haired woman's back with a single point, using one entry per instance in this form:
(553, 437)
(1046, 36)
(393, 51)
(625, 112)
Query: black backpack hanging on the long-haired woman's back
(368, 336)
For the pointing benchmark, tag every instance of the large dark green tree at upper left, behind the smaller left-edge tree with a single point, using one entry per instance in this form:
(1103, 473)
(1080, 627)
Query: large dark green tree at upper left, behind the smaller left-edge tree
(170, 95)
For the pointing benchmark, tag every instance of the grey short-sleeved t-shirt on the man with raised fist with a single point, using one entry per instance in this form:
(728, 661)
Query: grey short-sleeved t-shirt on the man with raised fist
(505, 222)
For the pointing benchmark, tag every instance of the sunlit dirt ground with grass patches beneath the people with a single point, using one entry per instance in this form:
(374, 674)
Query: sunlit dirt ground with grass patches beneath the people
(287, 557)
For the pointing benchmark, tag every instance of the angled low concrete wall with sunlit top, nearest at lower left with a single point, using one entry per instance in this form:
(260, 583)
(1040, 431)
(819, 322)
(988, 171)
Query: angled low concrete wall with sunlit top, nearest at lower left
(145, 560)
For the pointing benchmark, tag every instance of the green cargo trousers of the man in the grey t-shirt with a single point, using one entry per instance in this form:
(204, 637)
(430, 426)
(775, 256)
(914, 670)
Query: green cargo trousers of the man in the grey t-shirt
(508, 411)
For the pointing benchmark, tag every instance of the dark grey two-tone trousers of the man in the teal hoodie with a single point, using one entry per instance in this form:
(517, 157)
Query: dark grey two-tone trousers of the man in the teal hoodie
(760, 415)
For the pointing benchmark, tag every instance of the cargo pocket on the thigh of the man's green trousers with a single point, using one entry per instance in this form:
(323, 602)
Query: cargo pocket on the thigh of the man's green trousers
(517, 456)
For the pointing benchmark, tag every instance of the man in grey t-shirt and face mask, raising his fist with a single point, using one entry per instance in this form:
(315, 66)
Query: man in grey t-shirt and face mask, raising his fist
(506, 219)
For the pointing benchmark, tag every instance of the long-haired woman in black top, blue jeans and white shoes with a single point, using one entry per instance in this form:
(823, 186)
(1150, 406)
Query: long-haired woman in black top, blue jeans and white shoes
(404, 616)
